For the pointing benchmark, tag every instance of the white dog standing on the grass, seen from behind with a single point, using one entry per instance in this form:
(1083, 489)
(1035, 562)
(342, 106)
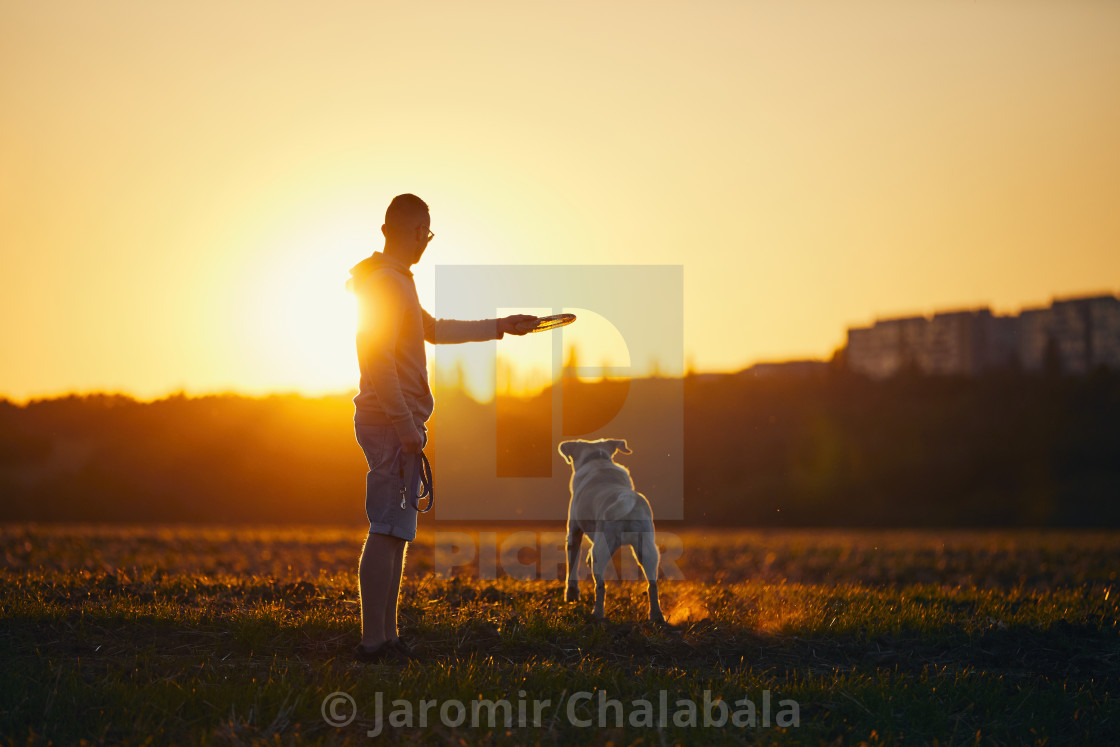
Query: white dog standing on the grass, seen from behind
(606, 508)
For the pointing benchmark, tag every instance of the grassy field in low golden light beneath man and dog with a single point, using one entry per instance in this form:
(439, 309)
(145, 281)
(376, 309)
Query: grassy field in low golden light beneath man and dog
(115, 636)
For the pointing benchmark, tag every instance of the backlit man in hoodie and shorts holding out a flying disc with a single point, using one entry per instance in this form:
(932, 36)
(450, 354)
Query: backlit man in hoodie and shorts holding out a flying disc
(394, 404)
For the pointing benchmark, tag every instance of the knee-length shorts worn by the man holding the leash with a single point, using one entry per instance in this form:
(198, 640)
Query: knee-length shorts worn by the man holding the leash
(384, 484)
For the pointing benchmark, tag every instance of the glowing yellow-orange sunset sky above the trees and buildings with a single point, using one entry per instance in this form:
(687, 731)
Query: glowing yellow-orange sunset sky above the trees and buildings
(184, 186)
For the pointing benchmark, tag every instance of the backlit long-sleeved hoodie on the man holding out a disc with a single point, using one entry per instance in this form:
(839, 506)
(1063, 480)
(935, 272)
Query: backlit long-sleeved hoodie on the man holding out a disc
(391, 333)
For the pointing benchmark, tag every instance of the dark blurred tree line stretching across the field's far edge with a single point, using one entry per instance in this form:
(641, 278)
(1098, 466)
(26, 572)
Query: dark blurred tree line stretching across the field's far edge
(838, 451)
